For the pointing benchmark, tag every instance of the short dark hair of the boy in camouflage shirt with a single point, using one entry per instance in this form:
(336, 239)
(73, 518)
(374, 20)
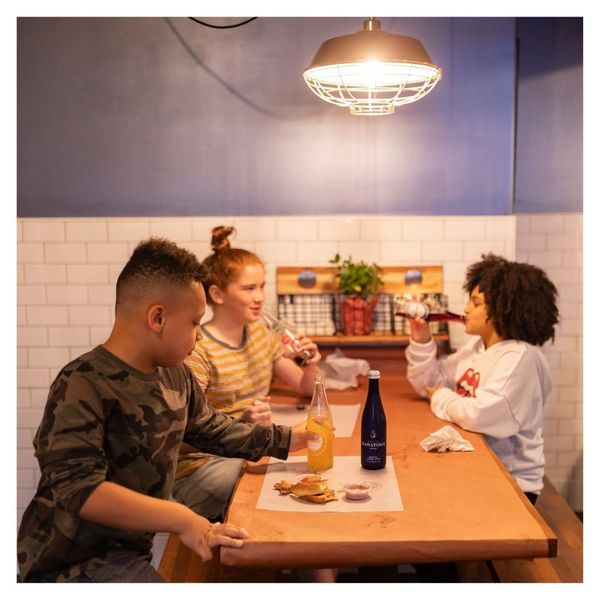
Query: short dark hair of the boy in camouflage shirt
(156, 264)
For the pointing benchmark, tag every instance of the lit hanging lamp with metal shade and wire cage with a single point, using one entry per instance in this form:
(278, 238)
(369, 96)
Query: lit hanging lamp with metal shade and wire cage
(371, 71)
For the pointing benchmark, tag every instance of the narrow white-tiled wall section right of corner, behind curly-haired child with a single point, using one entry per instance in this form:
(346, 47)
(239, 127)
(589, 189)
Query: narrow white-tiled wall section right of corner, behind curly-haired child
(554, 243)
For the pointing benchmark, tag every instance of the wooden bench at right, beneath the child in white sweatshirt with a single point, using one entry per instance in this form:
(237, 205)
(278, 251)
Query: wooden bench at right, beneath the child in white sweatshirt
(567, 567)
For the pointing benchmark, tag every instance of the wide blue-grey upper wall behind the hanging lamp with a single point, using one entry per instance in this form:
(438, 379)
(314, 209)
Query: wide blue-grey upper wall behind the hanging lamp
(152, 116)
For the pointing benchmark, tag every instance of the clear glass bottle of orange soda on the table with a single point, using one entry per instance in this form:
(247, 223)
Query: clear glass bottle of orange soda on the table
(320, 422)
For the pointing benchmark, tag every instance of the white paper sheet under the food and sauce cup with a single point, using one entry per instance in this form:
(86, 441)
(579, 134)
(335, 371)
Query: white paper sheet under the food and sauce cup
(385, 496)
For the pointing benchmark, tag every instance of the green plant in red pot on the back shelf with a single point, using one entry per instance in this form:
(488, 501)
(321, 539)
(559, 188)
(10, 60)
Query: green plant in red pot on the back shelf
(360, 283)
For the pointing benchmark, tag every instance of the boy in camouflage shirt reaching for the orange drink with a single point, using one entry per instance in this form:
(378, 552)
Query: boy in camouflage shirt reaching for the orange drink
(110, 436)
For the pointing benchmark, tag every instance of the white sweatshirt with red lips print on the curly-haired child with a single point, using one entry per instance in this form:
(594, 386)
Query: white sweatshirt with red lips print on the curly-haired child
(498, 392)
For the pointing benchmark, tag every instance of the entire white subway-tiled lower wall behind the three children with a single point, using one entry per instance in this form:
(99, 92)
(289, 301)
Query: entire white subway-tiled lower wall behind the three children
(67, 269)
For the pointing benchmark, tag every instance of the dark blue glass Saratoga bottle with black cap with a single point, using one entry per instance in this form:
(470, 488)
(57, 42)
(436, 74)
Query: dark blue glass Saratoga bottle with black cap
(373, 428)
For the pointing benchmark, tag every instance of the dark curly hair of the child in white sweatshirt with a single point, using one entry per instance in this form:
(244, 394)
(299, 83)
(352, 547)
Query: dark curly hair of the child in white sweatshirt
(520, 299)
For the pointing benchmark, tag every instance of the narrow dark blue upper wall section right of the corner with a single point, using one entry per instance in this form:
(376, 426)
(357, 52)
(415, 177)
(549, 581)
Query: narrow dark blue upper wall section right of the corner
(549, 159)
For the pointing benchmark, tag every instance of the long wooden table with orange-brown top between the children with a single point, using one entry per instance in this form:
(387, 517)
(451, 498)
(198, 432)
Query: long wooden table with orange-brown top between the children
(457, 505)
